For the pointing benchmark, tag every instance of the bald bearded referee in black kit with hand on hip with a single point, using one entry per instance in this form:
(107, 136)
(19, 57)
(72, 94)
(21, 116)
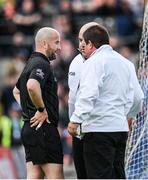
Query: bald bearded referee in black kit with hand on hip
(36, 92)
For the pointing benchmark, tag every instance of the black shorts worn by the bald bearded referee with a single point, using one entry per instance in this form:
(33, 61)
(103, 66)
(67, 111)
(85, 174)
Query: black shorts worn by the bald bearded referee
(42, 145)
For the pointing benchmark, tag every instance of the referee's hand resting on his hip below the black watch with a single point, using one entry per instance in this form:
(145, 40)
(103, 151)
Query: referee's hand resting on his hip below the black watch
(39, 118)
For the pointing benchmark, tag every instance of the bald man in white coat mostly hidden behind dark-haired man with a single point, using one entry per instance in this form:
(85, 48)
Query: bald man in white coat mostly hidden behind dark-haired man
(74, 75)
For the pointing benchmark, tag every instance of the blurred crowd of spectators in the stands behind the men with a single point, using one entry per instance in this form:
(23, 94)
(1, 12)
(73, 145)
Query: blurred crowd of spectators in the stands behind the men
(19, 21)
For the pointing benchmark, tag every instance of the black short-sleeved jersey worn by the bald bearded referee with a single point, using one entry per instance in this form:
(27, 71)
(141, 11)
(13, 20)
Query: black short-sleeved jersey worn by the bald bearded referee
(38, 67)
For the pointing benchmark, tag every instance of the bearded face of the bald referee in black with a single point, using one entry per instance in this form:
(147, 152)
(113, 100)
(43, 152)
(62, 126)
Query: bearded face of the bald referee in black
(53, 46)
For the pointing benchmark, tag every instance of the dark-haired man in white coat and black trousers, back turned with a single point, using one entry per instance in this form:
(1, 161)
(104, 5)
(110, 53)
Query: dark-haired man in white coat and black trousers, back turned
(107, 97)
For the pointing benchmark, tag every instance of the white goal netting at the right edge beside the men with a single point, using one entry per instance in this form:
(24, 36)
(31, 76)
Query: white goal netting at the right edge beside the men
(136, 156)
